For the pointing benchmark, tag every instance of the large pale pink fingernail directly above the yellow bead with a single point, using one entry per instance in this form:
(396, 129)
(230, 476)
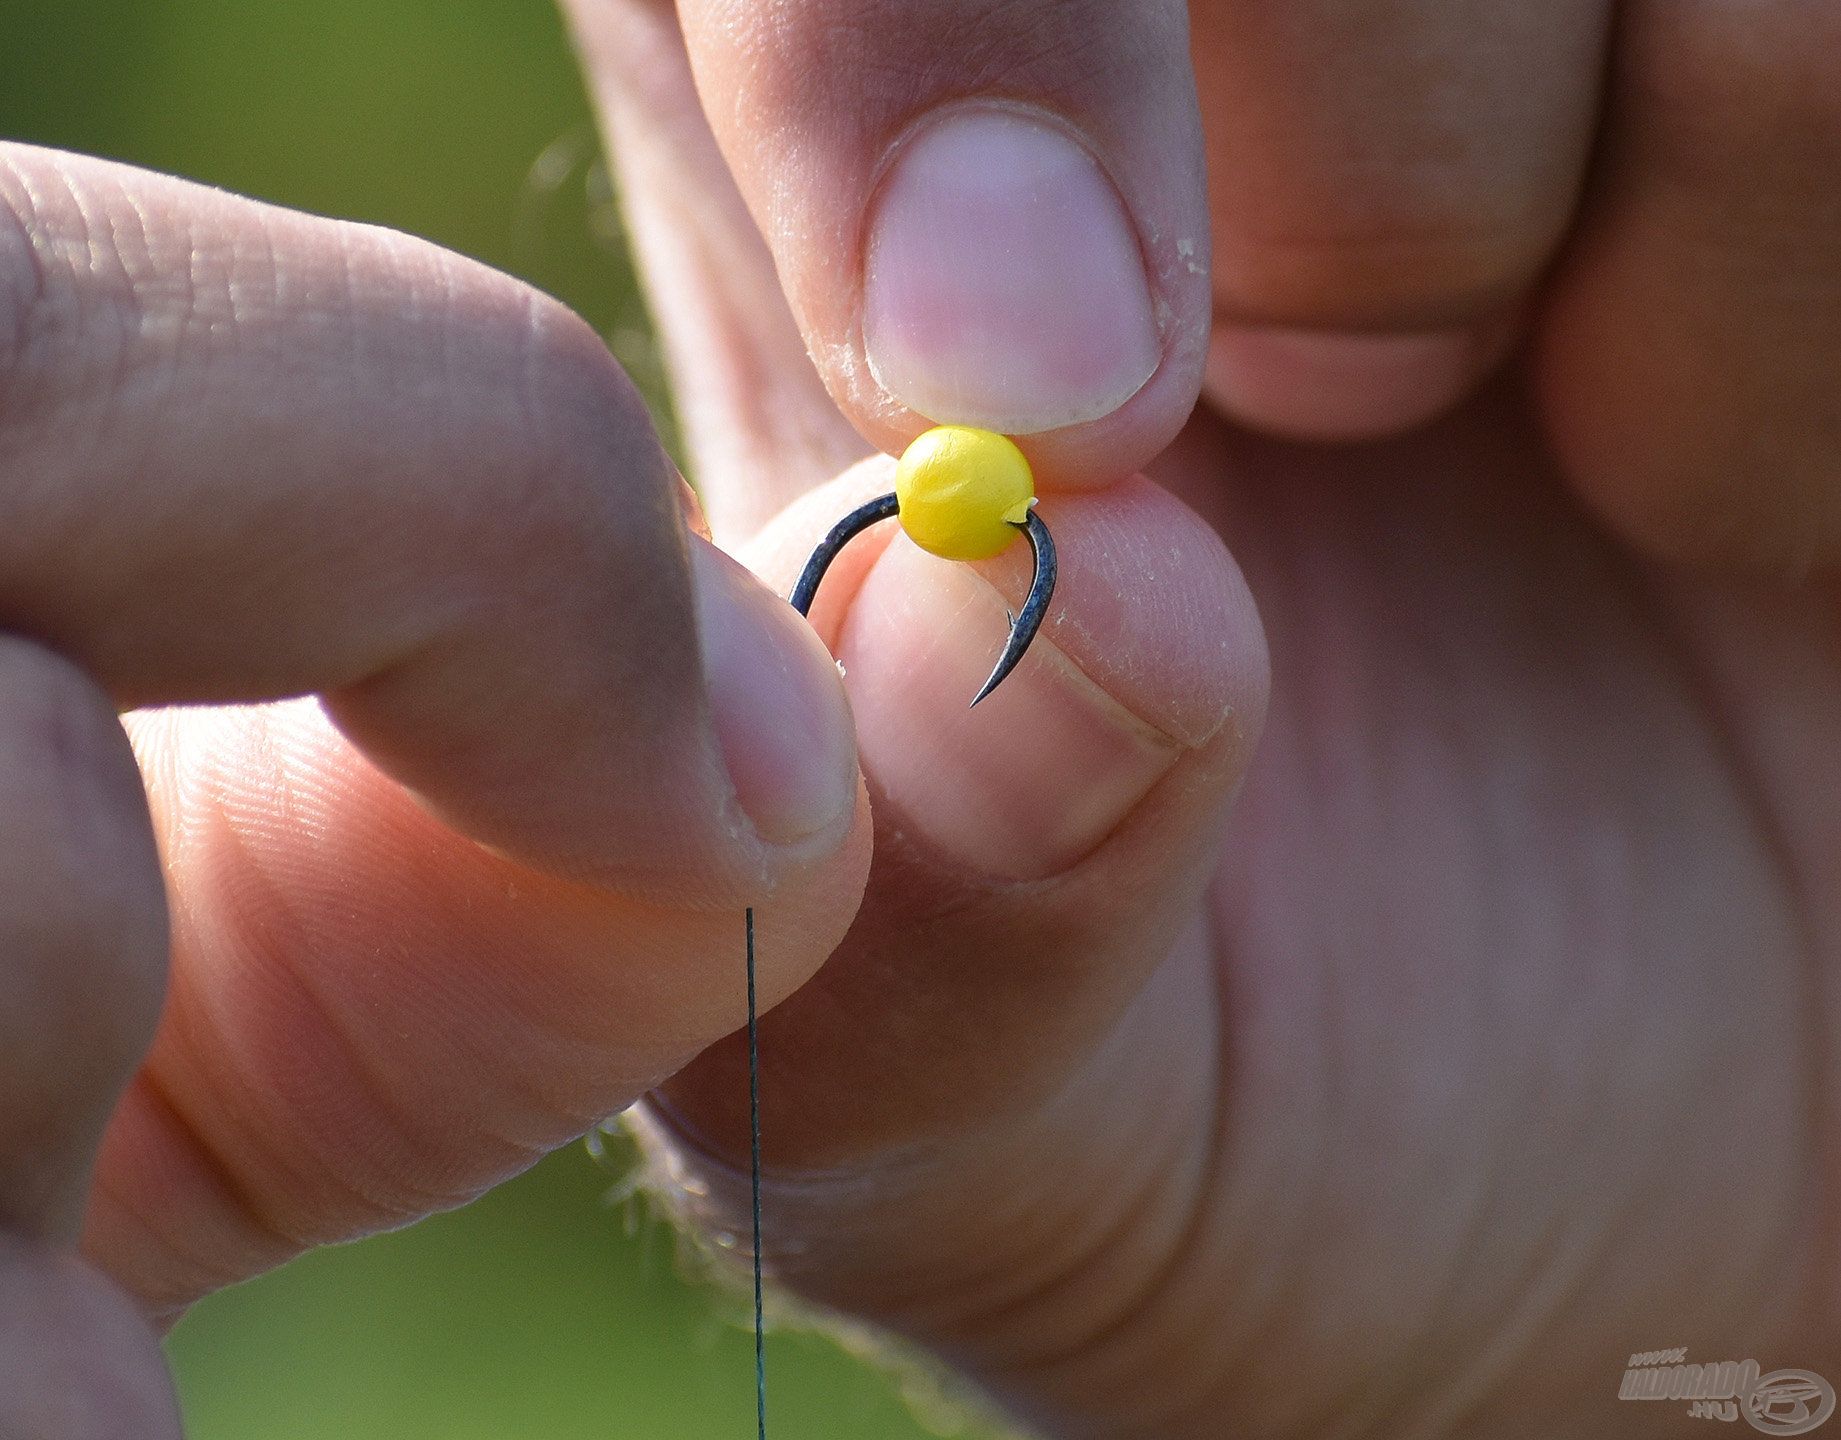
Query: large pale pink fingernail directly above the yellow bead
(1004, 281)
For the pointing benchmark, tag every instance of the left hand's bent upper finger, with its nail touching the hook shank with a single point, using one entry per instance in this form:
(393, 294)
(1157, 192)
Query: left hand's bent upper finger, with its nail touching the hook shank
(253, 456)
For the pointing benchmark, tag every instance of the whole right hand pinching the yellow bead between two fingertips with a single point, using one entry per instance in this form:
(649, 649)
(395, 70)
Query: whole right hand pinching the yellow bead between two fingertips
(1494, 1039)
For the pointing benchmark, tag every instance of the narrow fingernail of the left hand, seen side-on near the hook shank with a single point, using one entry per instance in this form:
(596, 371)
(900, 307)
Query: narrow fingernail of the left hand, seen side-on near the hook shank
(778, 706)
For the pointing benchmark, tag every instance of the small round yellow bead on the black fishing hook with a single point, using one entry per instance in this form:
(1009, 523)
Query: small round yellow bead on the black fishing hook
(962, 493)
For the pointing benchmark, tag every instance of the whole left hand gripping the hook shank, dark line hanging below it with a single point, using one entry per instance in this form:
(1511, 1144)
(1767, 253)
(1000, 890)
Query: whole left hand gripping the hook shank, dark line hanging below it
(483, 892)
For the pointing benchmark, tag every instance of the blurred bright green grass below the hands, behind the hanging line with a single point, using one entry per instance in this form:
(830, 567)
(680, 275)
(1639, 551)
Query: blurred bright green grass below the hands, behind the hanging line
(537, 1312)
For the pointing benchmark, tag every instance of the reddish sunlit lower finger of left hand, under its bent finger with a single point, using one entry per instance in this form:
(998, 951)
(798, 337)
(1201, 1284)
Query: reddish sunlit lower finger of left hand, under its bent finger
(373, 1017)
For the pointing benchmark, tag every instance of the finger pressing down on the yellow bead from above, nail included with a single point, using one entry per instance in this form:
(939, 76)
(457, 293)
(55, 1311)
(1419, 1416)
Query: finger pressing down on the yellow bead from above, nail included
(980, 213)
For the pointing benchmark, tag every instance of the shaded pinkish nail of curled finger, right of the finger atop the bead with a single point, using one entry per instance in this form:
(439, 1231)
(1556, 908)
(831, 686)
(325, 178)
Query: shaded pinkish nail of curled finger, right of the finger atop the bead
(1326, 386)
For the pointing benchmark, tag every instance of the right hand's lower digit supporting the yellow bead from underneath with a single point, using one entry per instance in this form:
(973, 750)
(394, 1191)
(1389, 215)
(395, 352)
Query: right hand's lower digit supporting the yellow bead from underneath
(1019, 990)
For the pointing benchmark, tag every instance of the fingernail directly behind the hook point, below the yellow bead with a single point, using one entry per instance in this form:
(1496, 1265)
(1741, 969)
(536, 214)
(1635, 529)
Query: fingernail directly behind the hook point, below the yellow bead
(1028, 784)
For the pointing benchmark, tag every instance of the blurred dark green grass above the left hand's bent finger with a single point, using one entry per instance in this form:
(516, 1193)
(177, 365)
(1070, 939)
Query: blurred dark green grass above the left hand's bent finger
(459, 121)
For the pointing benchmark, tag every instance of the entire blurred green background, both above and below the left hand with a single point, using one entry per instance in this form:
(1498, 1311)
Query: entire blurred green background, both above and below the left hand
(546, 1310)
